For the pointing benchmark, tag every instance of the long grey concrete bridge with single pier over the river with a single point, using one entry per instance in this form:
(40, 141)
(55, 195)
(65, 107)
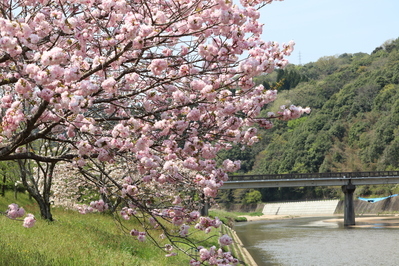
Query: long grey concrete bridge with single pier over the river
(347, 180)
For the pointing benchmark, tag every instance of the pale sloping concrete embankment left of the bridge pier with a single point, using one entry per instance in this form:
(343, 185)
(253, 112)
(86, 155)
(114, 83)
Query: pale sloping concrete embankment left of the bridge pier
(317, 207)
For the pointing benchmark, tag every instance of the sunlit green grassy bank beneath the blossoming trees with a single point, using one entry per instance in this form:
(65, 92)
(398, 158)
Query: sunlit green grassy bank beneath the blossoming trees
(76, 239)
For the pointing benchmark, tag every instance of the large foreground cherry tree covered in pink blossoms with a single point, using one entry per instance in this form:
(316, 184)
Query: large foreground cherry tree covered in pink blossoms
(154, 88)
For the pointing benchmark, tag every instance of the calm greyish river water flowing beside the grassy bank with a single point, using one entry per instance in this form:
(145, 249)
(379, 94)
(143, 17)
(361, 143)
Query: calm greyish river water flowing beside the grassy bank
(313, 241)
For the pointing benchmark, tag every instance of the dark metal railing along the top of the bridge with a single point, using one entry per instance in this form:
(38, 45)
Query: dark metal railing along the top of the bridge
(314, 175)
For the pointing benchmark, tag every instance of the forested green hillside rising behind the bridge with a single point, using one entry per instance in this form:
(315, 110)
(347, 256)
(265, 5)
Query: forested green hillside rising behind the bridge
(353, 125)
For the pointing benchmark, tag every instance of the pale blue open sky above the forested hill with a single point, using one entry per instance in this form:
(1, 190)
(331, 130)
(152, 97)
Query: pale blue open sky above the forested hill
(330, 27)
